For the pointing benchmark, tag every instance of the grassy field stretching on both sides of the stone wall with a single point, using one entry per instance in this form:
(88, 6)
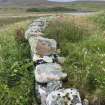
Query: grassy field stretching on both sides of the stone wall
(81, 40)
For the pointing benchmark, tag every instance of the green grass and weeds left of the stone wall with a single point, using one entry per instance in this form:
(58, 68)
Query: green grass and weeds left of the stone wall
(16, 75)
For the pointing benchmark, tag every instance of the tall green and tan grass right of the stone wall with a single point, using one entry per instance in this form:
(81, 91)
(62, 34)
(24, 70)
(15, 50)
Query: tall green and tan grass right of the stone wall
(84, 50)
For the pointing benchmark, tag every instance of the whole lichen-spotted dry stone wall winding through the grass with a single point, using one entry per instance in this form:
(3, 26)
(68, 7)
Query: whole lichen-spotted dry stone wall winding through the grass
(48, 72)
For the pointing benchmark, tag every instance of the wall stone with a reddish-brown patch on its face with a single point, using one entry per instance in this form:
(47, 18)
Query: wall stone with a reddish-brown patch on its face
(42, 46)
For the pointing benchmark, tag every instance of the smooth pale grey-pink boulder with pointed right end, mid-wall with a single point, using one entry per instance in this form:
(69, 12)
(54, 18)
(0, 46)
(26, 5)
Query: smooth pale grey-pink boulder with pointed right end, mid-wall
(48, 72)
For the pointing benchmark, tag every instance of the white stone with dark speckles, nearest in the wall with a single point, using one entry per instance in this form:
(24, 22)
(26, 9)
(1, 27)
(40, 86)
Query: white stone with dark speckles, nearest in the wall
(64, 97)
